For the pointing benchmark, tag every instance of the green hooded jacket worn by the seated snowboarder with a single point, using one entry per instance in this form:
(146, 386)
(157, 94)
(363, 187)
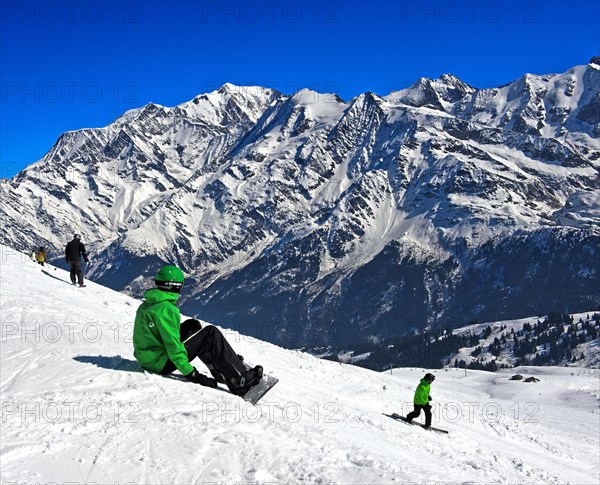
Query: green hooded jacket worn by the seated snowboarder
(156, 333)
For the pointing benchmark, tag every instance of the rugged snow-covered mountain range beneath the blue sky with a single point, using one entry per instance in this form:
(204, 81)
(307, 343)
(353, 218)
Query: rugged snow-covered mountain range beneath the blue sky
(306, 219)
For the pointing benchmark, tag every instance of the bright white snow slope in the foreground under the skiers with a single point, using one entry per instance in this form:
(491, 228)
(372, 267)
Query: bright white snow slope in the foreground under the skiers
(76, 408)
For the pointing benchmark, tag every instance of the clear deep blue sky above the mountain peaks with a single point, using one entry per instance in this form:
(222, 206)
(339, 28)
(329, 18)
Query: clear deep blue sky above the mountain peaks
(70, 65)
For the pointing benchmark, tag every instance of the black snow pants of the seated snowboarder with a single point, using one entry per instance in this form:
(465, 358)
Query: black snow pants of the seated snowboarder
(210, 346)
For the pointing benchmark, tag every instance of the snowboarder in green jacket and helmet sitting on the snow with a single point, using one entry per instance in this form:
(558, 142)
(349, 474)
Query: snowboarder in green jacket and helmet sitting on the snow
(158, 336)
